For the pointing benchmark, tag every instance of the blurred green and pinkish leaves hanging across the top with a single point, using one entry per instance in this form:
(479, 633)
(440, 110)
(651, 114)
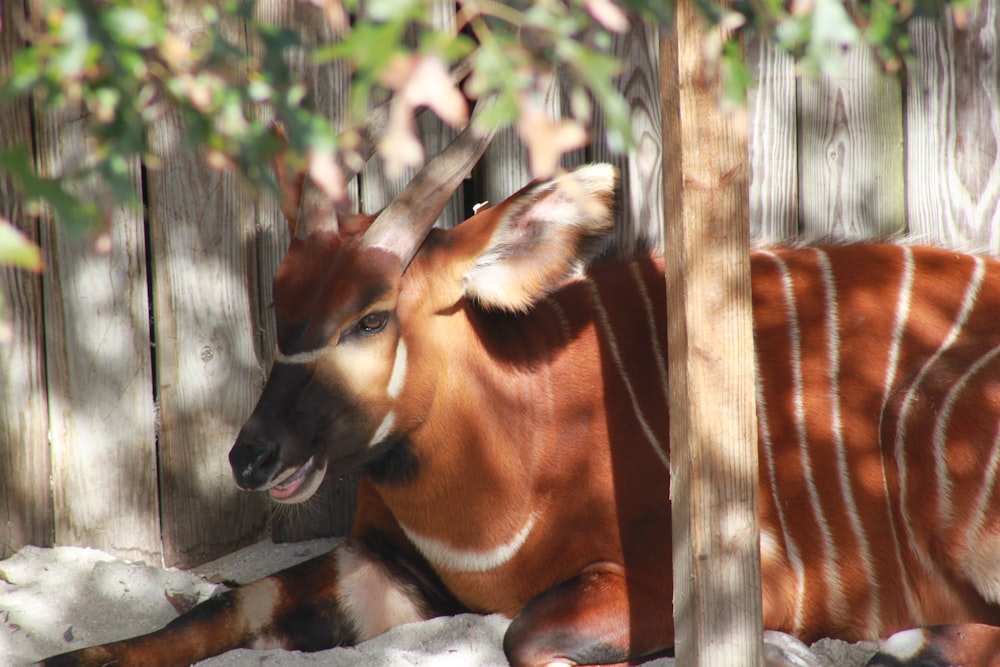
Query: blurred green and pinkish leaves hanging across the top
(127, 63)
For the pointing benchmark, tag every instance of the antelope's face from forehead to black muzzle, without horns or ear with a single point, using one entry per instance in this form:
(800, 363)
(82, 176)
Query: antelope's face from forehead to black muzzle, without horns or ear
(329, 401)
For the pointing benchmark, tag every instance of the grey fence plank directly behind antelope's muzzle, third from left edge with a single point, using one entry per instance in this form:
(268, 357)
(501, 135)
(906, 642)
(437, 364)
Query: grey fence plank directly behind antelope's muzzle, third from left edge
(204, 268)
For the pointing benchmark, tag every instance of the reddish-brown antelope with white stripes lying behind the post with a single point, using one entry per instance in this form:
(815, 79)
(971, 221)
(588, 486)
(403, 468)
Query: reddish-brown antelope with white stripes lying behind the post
(503, 391)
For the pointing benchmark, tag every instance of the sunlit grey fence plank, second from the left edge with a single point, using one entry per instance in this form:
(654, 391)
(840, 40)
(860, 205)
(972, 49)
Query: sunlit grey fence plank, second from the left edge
(99, 367)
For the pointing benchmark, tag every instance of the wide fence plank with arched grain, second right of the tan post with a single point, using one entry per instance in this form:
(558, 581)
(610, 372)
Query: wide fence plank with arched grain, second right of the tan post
(851, 152)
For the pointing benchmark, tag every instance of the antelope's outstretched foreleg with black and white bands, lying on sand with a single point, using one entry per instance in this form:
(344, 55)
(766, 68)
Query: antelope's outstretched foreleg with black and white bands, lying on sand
(340, 598)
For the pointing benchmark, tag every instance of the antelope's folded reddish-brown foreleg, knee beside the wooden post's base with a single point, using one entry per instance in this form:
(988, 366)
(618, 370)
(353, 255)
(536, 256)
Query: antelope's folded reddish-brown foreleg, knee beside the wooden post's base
(592, 619)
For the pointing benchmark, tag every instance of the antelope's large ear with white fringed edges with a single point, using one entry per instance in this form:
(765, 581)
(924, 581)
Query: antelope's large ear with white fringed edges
(545, 237)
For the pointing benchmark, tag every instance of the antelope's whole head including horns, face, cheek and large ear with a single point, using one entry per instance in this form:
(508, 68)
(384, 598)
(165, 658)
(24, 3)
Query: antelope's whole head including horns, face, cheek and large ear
(371, 310)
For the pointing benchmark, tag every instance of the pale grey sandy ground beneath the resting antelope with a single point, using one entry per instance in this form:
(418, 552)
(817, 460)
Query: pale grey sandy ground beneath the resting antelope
(53, 600)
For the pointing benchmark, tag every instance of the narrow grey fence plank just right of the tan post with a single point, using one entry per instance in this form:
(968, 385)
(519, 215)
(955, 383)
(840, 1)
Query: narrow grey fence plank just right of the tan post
(771, 117)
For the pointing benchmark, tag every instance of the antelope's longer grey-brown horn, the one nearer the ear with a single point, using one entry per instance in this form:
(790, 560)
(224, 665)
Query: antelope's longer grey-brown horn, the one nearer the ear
(403, 225)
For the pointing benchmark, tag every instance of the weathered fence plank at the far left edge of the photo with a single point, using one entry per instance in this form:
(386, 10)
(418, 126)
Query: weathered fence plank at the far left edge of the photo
(25, 493)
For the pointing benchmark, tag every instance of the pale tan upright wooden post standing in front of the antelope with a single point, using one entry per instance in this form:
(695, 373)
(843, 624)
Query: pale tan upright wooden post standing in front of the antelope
(713, 448)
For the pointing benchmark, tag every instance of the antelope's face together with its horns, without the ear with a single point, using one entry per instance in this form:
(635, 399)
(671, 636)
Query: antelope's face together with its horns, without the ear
(335, 296)
